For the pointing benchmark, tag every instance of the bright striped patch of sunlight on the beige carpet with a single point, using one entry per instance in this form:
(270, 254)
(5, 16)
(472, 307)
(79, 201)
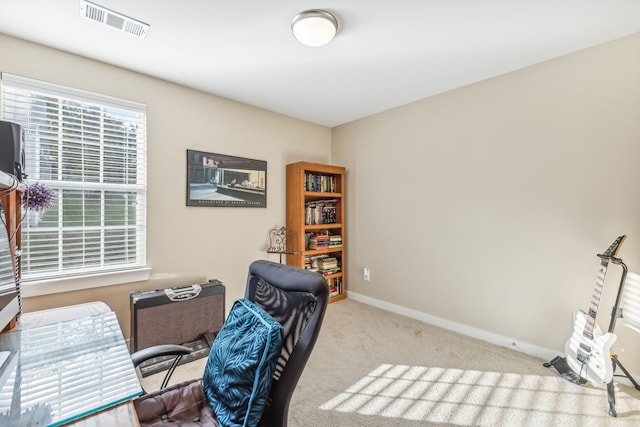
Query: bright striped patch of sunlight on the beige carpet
(474, 398)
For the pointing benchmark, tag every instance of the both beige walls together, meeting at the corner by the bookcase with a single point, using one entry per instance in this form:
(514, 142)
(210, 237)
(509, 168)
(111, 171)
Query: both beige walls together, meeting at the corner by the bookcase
(484, 206)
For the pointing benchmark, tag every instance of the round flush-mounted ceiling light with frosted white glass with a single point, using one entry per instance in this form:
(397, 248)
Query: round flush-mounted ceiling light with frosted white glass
(314, 27)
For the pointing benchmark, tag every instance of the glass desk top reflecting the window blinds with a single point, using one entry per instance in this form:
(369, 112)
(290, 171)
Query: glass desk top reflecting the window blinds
(54, 374)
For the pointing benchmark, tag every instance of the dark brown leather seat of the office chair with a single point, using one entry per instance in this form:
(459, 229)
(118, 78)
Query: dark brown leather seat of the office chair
(183, 405)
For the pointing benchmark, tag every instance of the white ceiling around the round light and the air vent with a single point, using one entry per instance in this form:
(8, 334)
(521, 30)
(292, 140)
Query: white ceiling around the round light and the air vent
(387, 52)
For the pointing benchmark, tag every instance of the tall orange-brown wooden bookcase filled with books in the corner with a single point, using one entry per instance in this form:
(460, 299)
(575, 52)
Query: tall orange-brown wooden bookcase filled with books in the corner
(315, 222)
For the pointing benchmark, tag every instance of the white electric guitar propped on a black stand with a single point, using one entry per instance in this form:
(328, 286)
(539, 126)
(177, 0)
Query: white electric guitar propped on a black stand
(588, 350)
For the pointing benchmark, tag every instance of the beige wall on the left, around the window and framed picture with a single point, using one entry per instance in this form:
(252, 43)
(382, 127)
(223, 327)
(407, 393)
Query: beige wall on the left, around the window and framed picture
(184, 244)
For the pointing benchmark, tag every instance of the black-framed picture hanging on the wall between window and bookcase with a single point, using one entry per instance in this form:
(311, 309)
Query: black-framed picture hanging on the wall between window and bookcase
(218, 180)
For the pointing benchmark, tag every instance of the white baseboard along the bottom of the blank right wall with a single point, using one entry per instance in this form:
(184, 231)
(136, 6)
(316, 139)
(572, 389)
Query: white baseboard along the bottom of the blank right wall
(501, 340)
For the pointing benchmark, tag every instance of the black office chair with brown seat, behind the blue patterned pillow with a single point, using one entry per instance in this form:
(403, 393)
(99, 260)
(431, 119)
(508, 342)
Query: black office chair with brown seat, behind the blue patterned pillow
(297, 299)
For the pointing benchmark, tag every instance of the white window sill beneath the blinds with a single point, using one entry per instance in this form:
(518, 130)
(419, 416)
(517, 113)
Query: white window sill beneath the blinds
(54, 286)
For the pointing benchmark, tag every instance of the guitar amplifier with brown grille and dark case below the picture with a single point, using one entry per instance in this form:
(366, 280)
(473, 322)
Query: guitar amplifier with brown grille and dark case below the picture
(177, 315)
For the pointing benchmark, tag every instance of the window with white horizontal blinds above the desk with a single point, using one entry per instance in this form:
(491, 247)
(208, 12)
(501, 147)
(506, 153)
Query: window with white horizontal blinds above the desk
(90, 150)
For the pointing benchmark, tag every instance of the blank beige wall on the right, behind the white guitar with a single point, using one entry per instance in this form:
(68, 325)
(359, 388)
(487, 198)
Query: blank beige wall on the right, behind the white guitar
(487, 205)
